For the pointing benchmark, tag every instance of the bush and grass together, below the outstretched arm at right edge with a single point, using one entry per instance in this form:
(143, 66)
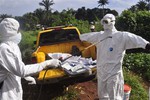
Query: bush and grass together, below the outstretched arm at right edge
(137, 73)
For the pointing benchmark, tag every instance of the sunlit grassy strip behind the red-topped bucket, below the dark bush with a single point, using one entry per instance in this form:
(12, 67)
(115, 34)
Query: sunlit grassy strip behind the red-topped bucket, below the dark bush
(139, 89)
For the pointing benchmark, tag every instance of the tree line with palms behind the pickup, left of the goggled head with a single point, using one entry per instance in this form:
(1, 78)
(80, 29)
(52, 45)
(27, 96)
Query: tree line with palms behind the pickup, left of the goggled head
(45, 17)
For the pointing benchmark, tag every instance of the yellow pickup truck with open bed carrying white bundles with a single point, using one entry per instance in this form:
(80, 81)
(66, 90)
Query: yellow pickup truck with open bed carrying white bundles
(60, 39)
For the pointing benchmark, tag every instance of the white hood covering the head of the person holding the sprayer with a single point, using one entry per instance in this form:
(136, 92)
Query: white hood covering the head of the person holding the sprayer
(9, 30)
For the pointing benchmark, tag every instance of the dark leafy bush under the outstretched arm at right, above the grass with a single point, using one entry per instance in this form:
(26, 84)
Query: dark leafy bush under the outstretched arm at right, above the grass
(138, 63)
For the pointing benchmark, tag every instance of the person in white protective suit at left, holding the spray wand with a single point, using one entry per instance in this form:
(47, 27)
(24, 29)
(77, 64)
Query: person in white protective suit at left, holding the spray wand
(12, 68)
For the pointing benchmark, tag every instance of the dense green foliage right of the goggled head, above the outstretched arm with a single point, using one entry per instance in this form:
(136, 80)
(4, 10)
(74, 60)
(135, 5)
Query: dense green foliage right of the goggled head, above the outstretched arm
(138, 23)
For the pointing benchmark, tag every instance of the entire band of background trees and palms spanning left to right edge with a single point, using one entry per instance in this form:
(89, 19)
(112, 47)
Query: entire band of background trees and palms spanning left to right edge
(126, 21)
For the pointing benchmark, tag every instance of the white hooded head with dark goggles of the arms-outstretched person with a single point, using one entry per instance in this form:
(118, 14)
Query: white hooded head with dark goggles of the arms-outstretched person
(108, 22)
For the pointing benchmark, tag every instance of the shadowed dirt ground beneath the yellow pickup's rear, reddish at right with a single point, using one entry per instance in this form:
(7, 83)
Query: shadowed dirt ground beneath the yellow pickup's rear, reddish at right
(87, 90)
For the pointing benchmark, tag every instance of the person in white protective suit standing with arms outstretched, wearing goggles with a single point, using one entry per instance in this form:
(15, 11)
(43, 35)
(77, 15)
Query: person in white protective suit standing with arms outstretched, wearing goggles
(111, 45)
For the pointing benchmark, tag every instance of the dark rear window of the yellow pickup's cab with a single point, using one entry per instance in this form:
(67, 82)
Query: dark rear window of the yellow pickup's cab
(57, 36)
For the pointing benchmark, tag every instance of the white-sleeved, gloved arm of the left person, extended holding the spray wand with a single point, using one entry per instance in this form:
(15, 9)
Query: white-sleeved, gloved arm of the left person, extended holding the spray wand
(14, 65)
